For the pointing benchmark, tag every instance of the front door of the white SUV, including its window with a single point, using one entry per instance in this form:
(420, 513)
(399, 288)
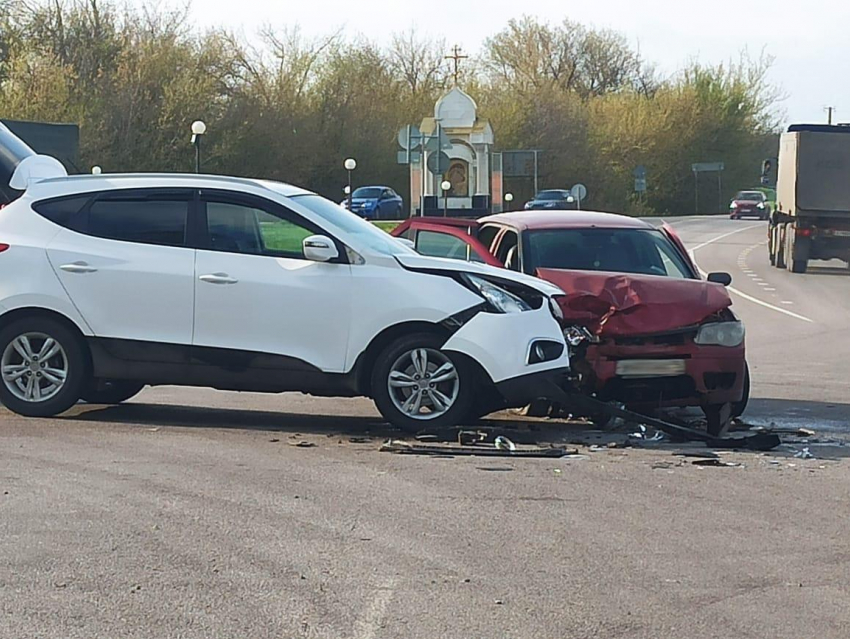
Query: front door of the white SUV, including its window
(255, 291)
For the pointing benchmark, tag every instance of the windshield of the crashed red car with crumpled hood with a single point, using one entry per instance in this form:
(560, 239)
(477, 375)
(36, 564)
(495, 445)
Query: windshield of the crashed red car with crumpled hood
(639, 251)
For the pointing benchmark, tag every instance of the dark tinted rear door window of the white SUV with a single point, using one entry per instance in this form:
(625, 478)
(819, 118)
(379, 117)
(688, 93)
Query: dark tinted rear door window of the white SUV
(142, 219)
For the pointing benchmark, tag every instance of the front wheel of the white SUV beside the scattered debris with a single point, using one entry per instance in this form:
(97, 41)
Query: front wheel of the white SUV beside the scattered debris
(402, 362)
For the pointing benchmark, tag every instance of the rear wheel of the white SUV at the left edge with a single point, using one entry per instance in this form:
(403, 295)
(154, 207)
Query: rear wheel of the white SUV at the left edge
(22, 343)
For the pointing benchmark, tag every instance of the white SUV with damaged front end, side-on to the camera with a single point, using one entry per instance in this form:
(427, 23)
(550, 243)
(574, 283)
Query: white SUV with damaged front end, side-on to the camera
(113, 282)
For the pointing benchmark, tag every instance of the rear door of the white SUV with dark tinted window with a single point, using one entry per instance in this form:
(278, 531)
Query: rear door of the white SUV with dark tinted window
(125, 262)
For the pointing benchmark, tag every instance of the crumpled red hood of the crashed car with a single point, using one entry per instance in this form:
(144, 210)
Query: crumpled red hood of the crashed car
(619, 304)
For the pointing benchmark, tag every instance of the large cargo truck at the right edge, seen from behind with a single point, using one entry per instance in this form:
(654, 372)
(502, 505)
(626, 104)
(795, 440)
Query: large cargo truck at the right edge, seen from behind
(811, 220)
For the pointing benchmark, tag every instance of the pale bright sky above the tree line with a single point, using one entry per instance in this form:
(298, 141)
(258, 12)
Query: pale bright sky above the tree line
(808, 40)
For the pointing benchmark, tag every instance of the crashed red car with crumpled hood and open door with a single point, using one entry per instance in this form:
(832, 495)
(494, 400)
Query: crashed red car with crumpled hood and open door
(664, 337)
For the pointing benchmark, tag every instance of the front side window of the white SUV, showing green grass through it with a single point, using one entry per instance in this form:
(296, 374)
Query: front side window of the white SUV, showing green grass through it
(237, 228)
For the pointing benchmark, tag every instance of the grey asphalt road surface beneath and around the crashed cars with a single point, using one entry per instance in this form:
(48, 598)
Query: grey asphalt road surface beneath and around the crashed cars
(193, 513)
